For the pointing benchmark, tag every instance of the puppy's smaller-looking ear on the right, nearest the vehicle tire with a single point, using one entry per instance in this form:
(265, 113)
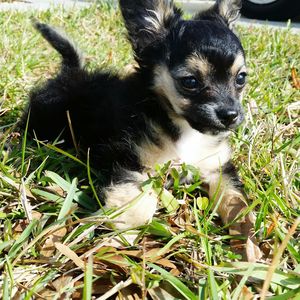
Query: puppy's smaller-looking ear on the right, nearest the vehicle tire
(228, 10)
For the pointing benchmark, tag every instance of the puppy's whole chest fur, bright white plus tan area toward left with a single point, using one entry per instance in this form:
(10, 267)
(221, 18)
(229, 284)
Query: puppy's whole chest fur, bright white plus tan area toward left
(207, 152)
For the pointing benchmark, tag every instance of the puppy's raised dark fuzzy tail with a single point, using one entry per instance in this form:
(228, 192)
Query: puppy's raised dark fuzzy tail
(71, 57)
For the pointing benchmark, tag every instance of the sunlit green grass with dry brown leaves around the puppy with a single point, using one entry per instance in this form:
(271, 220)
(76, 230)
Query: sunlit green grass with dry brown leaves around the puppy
(52, 233)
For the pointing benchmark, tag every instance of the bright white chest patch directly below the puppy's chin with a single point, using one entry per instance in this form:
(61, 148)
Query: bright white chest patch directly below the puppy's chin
(208, 152)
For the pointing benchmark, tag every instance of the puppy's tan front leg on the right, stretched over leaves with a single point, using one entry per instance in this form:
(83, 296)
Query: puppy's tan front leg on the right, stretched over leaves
(227, 192)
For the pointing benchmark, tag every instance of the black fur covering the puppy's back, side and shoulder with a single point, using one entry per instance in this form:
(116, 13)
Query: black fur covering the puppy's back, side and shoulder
(108, 115)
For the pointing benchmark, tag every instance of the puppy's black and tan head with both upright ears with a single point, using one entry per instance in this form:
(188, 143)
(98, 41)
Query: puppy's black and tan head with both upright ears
(198, 65)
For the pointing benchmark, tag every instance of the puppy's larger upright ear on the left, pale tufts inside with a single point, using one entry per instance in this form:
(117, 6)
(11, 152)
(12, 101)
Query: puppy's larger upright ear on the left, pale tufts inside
(148, 21)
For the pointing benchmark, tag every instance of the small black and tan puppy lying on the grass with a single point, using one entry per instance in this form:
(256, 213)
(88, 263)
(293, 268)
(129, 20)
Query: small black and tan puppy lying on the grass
(181, 104)
